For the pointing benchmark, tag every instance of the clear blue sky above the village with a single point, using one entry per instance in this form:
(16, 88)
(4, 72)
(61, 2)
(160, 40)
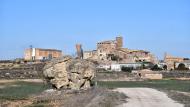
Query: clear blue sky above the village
(157, 26)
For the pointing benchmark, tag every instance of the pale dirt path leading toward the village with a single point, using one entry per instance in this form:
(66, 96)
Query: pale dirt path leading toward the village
(146, 97)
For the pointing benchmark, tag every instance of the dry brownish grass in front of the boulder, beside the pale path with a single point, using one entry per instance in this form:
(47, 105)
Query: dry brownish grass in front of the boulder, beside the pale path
(96, 97)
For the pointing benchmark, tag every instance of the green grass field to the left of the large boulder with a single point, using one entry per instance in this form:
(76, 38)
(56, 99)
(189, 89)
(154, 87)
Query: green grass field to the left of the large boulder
(20, 90)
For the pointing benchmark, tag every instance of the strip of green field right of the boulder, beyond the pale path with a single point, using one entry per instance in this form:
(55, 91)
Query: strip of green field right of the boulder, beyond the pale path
(177, 85)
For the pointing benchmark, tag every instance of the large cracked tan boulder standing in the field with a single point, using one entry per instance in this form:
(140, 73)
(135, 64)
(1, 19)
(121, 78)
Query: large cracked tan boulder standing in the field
(69, 73)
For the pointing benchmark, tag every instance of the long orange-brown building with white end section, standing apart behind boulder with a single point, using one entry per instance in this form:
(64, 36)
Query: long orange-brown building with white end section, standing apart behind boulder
(41, 54)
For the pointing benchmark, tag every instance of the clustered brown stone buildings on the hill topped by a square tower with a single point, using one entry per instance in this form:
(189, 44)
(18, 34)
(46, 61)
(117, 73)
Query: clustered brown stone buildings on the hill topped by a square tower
(112, 50)
